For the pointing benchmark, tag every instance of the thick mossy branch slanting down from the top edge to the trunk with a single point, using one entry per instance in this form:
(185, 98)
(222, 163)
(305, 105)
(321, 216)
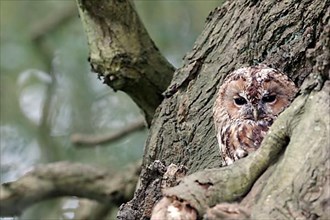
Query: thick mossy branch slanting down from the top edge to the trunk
(122, 52)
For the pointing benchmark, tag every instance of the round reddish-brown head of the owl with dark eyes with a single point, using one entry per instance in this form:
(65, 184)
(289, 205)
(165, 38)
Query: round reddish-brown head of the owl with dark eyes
(256, 93)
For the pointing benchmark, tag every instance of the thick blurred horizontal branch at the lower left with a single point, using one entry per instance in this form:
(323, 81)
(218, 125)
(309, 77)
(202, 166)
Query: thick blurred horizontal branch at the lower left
(66, 179)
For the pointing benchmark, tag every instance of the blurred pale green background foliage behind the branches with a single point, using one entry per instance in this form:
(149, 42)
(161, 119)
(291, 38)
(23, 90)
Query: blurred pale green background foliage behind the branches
(48, 93)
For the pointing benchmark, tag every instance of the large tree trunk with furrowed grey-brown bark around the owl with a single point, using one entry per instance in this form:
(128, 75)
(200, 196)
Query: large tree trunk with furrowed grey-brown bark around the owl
(292, 36)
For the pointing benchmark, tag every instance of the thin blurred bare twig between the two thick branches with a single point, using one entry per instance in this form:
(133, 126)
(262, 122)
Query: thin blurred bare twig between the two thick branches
(83, 140)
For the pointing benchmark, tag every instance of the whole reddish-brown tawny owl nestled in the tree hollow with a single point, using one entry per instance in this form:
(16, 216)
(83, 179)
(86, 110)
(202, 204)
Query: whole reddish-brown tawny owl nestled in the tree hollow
(246, 105)
